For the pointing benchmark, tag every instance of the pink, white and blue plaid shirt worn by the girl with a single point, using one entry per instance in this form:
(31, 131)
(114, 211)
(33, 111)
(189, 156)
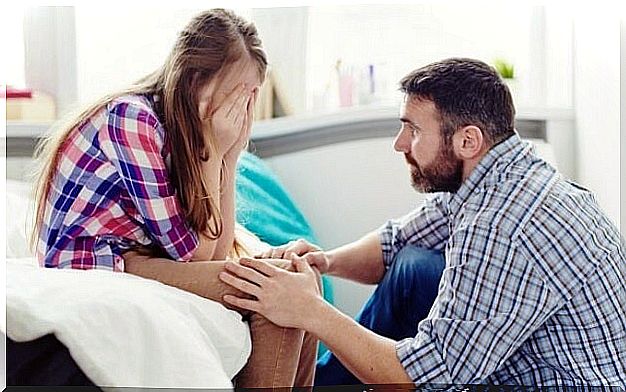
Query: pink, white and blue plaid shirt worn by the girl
(111, 192)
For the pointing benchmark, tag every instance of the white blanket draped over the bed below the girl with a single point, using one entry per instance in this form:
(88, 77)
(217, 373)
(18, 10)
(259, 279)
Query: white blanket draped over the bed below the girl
(126, 331)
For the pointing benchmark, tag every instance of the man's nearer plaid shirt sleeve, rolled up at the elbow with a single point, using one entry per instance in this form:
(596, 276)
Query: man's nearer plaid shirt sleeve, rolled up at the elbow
(490, 301)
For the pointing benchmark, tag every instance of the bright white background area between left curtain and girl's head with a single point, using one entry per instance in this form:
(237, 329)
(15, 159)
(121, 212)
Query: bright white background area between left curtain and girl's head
(116, 48)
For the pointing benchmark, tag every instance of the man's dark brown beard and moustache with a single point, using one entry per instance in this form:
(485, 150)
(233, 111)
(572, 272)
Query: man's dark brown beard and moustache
(445, 174)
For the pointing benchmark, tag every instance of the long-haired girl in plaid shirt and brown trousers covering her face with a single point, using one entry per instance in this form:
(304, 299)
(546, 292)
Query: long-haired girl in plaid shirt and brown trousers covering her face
(143, 182)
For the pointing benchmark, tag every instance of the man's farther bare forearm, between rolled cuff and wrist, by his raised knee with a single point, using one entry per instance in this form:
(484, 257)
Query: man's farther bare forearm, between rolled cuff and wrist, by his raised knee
(360, 261)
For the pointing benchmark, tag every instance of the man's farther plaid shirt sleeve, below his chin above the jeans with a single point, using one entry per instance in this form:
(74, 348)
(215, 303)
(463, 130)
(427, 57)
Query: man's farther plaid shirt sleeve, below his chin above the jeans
(426, 226)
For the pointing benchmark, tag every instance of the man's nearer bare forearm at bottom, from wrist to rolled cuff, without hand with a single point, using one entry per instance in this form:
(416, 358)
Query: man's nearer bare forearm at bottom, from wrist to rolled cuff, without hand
(370, 357)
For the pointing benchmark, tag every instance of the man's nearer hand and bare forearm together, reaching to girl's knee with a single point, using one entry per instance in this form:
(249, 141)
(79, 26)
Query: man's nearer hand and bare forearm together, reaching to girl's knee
(292, 299)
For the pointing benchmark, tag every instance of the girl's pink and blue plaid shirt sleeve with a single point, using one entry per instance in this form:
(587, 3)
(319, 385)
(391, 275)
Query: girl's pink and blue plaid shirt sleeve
(131, 142)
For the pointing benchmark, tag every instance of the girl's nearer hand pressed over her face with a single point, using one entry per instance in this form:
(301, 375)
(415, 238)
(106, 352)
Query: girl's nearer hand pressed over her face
(228, 121)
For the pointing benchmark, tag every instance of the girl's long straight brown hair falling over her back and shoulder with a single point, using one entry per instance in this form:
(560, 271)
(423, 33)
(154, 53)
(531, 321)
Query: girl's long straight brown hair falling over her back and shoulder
(212, 40)
